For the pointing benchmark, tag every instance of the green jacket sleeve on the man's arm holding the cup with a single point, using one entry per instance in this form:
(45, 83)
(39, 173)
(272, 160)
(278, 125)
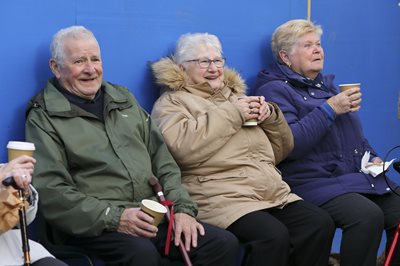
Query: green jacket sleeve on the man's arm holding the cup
(62, 202)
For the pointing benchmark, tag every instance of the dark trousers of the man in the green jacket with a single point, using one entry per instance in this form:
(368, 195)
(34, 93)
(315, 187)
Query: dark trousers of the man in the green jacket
(217, 247)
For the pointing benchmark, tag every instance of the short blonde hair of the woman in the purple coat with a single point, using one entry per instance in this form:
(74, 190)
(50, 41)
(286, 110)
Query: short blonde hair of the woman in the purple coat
(287, 34)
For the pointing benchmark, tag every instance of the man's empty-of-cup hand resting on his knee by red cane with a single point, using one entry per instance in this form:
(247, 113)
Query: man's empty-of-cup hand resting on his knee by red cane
(188, 226)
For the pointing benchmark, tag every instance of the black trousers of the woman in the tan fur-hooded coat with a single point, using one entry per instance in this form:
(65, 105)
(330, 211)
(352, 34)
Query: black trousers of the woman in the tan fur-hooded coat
(300, 234)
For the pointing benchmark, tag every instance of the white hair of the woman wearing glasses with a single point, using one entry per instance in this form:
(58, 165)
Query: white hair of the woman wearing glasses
(188, 44)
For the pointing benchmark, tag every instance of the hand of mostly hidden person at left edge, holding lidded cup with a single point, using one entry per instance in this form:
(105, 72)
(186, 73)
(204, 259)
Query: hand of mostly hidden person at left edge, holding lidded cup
(21, 168)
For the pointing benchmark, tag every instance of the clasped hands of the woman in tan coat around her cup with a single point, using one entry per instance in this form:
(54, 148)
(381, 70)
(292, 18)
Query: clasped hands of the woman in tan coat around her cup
(254, 107)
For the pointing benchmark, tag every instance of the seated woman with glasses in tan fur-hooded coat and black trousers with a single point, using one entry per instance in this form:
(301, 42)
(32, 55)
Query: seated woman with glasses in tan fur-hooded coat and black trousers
(228, 168)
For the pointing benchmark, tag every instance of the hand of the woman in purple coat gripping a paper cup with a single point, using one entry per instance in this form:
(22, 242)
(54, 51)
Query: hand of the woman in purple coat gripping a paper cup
(346, 101)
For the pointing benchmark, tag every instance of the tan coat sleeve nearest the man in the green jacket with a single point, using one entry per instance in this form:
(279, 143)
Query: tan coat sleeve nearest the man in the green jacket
(189, 134)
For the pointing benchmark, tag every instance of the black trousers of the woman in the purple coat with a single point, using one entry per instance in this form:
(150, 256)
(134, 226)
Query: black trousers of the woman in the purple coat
(362, 219)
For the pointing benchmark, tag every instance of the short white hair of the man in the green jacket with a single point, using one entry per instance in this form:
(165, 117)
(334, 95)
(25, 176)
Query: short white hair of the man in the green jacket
(57, 43)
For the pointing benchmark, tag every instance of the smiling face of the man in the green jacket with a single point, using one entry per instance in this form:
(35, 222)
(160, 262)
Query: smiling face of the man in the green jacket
(82, 71)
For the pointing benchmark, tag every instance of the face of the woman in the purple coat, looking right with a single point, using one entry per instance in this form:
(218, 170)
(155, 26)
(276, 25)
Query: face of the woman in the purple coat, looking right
(307, 56)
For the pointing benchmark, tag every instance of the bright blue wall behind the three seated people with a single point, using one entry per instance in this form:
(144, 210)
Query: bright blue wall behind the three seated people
(361, 41)
